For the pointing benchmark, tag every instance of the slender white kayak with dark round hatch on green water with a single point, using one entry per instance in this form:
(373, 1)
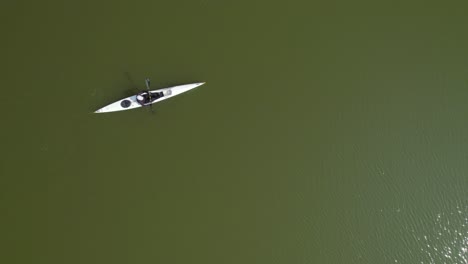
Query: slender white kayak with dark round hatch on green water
(154, 97)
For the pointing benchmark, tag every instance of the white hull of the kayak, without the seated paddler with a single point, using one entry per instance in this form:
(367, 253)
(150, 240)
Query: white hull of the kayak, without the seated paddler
(132, 103)
